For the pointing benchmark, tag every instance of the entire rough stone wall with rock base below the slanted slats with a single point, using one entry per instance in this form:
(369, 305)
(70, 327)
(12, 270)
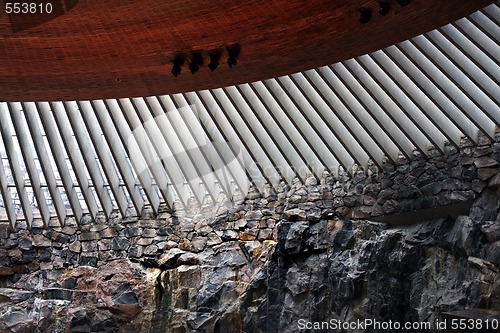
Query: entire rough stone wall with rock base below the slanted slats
(301, 251)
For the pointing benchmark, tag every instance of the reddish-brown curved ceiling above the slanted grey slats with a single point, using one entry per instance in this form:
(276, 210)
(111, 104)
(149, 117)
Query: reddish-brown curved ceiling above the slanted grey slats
(111, 48)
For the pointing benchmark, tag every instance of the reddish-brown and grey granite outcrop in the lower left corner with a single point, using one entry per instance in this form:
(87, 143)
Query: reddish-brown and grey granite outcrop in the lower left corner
(85, 299)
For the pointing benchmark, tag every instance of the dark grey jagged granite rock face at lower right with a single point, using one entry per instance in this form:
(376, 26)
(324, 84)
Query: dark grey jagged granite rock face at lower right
(371, 271)
